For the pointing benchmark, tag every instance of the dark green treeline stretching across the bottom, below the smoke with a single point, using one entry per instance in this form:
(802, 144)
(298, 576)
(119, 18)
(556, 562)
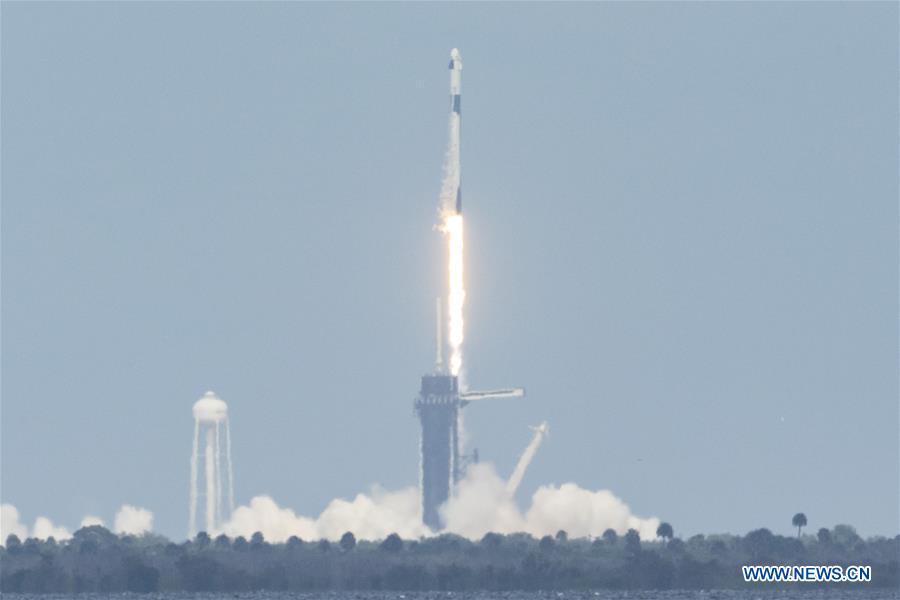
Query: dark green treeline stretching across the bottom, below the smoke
(96, 560)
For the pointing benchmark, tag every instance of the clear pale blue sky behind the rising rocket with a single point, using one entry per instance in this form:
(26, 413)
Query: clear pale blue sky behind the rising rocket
(681, 236)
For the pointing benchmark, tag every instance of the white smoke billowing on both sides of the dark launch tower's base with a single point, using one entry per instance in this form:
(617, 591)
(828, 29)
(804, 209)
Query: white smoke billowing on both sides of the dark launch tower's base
(482, 504)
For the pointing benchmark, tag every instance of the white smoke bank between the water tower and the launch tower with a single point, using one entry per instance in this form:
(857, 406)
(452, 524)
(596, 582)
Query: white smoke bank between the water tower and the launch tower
(368, 517)
